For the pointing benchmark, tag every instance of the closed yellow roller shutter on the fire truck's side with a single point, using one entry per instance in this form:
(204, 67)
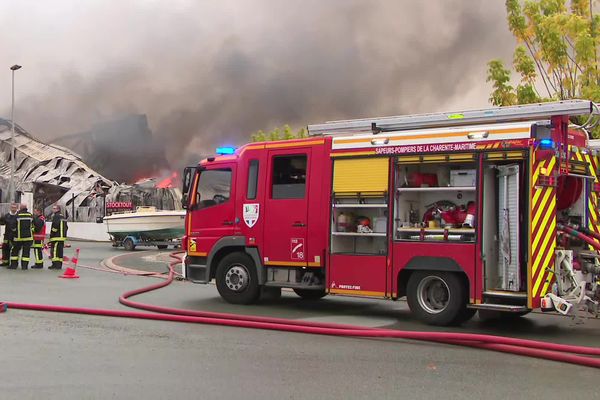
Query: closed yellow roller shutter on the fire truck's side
(361, 175)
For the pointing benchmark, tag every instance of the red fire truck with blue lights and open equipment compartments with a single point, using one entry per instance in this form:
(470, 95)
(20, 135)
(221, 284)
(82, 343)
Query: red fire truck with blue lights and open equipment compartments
(493, 209)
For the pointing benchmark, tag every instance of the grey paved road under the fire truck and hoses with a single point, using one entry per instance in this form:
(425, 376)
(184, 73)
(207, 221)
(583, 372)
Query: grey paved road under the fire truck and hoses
(63, 356)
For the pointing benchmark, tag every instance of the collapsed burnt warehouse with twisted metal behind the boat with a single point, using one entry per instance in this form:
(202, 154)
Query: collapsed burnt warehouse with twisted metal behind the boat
(47, 173)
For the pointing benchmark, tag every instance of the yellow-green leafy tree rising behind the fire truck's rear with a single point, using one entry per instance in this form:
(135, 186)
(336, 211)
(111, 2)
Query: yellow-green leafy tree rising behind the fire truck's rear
(557, 55)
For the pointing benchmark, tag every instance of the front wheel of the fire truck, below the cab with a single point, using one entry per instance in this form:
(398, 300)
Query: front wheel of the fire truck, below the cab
(237, 281)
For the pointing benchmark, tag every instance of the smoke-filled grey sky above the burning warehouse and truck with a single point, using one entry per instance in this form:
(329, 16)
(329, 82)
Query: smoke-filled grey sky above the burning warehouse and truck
(210, 73)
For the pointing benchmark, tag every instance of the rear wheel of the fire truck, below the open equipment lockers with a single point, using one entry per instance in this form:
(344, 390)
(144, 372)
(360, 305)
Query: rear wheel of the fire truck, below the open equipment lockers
(437, 298)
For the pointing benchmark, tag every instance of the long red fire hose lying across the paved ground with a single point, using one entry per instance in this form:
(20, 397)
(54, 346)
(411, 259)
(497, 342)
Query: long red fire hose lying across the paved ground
(550, 351)
